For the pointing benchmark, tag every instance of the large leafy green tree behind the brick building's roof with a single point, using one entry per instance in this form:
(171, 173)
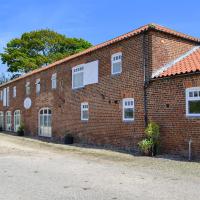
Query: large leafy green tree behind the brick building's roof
(39, 48)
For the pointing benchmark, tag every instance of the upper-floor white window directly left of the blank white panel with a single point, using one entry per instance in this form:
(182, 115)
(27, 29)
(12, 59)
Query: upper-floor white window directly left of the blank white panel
(77, 77)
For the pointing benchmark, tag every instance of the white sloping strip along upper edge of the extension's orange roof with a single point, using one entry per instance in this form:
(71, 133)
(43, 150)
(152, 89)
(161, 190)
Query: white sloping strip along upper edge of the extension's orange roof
(173, 62)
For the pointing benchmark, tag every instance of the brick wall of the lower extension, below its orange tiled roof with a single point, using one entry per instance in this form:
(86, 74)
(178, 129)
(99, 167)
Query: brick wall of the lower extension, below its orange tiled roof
(167, 107)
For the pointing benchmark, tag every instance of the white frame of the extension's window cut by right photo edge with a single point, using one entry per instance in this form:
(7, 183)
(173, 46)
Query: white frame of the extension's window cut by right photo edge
(188, 99)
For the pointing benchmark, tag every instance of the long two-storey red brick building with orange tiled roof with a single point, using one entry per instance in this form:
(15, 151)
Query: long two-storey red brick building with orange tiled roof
(106, 94)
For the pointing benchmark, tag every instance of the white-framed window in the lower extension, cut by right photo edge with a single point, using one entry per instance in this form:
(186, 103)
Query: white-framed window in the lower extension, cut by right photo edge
(193, 102)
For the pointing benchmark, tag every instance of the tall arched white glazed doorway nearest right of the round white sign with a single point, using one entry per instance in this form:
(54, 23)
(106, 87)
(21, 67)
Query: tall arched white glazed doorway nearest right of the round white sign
(45, 128)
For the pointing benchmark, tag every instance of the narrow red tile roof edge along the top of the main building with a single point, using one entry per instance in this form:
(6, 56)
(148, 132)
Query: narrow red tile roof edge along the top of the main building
(109, 42)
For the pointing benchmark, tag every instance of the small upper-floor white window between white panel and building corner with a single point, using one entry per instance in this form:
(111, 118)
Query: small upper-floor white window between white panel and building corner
(116, 61)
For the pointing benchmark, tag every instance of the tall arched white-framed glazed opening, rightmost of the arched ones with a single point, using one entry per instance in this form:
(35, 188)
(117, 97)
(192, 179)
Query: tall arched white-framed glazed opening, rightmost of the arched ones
(45, 131)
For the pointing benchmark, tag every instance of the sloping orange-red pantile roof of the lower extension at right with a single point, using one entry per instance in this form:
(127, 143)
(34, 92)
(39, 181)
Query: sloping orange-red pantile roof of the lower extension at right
(189, 64)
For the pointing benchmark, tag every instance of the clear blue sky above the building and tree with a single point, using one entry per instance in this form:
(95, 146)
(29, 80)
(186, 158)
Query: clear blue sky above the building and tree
(95, 20)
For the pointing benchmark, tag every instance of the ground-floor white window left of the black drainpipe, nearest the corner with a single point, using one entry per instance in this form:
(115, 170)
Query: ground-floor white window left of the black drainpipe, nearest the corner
(128, 109)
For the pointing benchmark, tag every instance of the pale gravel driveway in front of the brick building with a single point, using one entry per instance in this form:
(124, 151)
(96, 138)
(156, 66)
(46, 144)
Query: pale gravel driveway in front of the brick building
(34, 170)
